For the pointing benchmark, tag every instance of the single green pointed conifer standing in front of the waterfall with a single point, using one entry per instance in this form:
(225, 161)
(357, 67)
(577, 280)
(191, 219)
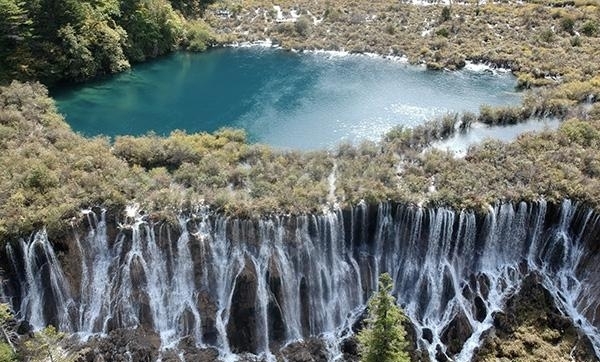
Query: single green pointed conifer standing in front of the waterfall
(384, 338)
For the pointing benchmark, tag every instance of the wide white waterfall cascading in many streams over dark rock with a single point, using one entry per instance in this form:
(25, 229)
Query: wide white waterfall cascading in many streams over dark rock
(257, 285)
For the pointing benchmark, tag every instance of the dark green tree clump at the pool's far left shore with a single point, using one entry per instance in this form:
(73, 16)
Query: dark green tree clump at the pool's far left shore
(75, 40)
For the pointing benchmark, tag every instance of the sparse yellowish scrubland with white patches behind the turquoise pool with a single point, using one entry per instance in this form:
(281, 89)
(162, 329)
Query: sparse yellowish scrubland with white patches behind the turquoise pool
(553, 44)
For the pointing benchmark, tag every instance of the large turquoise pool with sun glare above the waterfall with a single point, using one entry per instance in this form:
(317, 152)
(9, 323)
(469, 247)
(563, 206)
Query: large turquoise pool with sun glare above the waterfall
(284, 99)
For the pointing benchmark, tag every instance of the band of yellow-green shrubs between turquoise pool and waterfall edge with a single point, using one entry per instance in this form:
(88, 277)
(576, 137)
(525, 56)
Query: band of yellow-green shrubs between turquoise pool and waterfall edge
(50, 173)
